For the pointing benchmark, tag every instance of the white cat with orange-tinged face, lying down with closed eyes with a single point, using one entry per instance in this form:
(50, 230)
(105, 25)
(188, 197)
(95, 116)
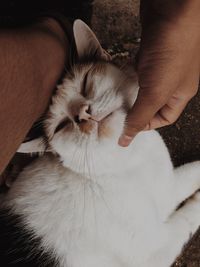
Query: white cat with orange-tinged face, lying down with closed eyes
(93, 203)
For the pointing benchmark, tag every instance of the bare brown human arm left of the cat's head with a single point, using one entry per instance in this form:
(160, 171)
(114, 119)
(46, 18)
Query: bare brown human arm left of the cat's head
(31, 61)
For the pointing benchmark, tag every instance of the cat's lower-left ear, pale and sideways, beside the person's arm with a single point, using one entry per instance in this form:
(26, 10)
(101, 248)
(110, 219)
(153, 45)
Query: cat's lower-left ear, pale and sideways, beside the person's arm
(33, 146)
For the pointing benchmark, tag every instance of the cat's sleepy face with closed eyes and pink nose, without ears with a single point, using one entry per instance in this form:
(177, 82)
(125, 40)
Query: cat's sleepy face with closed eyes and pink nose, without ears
(88, 112)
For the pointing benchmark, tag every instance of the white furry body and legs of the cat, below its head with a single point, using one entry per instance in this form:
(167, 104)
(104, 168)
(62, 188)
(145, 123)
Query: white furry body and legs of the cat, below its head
(123, 217)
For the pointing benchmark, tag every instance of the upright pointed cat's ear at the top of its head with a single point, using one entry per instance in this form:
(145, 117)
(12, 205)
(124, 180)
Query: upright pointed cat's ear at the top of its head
(87, 44)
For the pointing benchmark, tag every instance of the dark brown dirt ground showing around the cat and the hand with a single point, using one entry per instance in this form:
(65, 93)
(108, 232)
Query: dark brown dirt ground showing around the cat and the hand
(116, 24)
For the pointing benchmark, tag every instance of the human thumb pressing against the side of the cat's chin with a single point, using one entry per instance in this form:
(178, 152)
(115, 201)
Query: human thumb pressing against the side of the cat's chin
(143, 110)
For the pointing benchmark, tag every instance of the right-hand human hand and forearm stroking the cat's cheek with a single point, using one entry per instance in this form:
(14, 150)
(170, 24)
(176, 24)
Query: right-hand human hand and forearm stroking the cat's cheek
(168, 64)
